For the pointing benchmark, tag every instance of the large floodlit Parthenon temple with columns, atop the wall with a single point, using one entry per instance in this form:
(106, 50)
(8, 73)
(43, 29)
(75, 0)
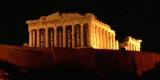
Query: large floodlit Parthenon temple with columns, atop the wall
(71, 30)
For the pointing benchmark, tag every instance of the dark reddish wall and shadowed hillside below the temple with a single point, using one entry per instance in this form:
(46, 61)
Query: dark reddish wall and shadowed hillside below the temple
(81, 64)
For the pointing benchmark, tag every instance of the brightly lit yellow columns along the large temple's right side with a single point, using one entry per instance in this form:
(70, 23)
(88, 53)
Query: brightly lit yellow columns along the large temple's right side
(104, 39)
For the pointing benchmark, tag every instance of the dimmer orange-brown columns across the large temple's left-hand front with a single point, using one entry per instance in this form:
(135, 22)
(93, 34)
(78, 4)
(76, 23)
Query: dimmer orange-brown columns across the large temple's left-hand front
(39, 38)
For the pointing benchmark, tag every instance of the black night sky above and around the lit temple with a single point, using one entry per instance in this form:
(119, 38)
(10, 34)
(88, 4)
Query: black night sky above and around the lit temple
(136, 18)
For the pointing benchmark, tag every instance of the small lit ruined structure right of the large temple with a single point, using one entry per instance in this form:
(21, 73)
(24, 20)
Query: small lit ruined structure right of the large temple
(131, 44)
